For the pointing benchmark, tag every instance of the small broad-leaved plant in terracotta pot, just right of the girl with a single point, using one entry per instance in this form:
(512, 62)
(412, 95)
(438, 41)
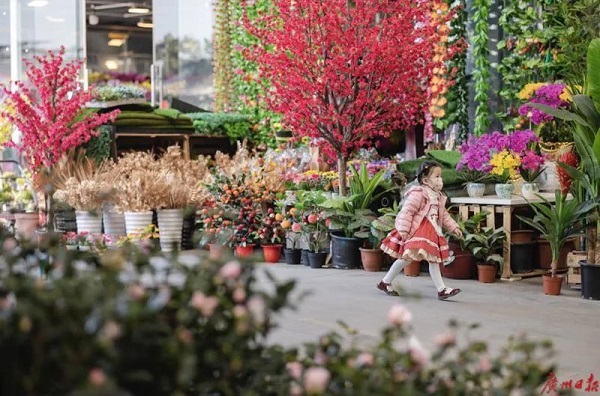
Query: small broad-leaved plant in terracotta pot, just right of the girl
(485, 244)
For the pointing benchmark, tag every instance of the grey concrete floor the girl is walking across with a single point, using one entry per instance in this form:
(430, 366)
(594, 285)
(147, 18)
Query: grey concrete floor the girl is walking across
(502, 309)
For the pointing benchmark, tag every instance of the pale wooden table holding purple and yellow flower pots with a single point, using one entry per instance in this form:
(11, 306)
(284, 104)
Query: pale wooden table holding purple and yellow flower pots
(492, 204)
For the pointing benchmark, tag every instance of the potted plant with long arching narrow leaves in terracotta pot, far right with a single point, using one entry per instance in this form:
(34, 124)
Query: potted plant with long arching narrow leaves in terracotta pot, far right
(557, 223)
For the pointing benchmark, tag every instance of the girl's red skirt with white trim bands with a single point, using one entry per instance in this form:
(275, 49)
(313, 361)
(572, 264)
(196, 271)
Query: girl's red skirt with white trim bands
(425, 244)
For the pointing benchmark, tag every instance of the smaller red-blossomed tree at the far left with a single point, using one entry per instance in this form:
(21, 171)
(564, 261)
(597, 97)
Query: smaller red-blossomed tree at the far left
(50, 113)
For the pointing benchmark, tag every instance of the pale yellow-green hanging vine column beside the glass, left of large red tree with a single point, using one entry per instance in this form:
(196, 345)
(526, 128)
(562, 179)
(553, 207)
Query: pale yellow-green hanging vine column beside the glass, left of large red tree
(222, 67)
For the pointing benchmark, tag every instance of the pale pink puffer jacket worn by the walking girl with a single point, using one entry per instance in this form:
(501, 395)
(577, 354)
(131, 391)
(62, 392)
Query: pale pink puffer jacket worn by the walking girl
(415, 208)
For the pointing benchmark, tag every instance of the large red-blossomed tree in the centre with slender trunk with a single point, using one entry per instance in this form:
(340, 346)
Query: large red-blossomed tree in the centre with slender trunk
(346, 71)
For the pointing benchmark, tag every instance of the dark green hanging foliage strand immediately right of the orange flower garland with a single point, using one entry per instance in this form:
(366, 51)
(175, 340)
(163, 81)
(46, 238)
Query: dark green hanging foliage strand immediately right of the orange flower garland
(456, 107)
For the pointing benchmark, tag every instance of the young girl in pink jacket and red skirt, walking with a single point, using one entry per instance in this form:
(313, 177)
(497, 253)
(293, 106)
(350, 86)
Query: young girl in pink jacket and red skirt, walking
(418, 231)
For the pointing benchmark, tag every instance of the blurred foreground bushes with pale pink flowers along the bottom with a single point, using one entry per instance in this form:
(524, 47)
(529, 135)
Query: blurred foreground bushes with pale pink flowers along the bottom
(132, 323)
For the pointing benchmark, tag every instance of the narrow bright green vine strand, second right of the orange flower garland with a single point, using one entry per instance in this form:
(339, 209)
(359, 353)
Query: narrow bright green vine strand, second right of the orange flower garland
(481, 72)
